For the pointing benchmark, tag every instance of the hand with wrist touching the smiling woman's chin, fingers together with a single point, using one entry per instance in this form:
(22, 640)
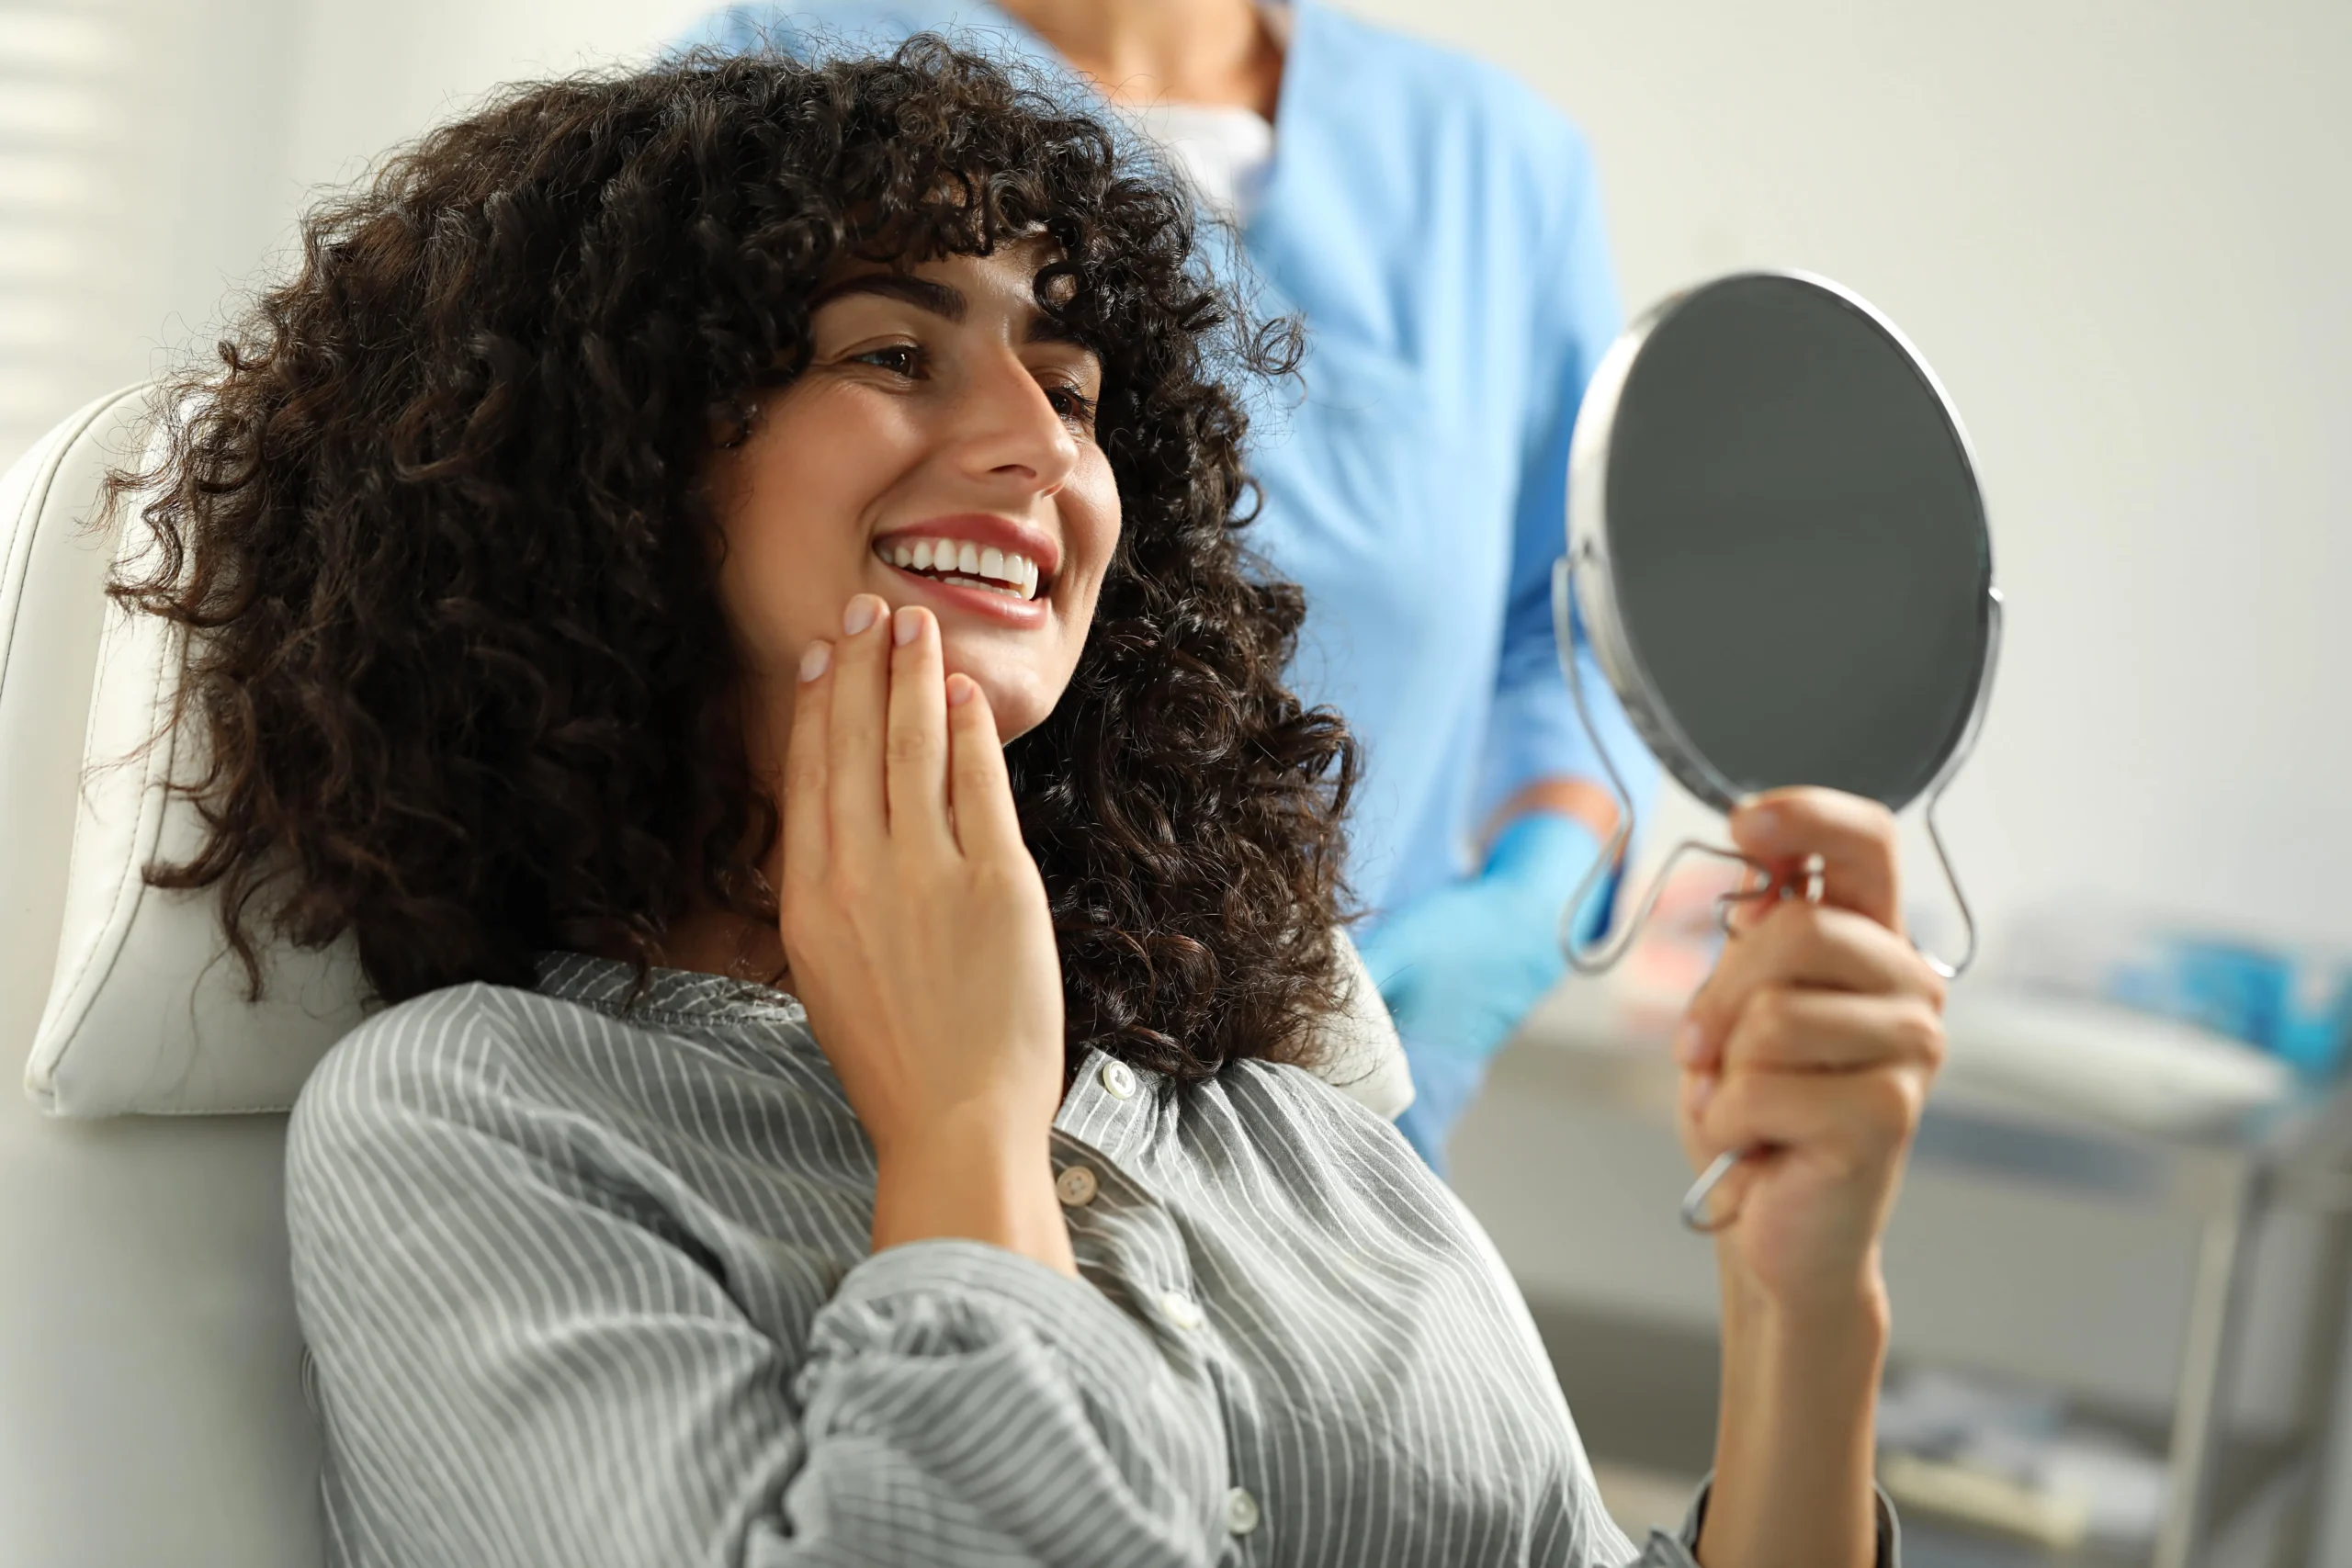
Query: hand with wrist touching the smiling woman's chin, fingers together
(918, 937)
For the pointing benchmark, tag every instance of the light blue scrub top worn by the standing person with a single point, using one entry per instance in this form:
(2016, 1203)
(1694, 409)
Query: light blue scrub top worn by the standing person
(1441, 232)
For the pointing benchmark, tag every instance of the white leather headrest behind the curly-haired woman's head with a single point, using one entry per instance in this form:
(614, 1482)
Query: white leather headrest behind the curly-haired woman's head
(147, 1007)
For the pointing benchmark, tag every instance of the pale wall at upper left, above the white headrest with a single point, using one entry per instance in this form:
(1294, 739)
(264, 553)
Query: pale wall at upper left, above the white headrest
(211, 123)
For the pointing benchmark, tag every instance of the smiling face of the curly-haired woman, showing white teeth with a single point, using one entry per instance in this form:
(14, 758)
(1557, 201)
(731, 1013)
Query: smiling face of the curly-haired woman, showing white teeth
(940, 450)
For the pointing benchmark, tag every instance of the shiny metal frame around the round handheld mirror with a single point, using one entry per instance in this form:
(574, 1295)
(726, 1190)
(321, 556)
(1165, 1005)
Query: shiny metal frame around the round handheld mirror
(1584, 591)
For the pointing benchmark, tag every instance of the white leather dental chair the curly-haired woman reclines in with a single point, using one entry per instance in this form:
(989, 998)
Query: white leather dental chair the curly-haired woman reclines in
(152, 1393)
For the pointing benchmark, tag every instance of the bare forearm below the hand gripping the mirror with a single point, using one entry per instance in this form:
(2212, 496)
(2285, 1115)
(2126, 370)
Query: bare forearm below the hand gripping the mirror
(1796, 1430)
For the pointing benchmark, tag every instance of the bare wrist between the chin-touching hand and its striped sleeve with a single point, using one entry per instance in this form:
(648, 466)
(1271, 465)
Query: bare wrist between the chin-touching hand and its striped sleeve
(973, 1184)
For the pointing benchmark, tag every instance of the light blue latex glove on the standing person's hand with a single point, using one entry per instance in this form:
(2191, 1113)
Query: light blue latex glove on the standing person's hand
(1464, 965)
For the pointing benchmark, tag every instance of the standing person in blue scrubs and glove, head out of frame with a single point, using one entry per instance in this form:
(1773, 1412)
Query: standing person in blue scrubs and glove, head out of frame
(1441, 232)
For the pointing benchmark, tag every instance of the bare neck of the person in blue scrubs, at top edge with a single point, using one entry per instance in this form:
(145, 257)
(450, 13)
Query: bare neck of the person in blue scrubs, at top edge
(1163, 51)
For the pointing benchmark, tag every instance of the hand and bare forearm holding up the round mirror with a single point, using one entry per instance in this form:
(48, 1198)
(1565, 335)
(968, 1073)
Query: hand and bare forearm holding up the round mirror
(1812, 1043)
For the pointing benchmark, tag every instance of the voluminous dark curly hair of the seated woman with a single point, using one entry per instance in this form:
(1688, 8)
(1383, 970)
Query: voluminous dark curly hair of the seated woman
(439, 540)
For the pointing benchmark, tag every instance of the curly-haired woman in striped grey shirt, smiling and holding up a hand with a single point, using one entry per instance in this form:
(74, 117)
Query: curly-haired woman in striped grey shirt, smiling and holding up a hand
(810, 1130)
